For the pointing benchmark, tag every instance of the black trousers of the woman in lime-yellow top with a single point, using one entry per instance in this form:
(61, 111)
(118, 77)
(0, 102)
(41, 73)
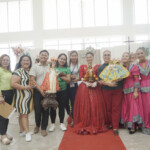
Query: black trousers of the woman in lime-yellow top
(8, 96)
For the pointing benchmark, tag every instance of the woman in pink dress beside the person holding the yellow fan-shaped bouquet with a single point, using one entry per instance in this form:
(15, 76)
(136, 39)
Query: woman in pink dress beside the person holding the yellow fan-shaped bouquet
(132, 109)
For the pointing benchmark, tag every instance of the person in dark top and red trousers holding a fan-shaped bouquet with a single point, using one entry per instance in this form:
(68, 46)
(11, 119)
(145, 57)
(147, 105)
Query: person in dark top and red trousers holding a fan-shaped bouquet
(112, 92)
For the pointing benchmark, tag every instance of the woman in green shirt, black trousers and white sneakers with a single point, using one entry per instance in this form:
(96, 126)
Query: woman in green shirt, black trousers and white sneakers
(61, 96)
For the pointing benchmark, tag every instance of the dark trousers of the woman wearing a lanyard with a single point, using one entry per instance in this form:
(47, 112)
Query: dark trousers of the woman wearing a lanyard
(71, 97)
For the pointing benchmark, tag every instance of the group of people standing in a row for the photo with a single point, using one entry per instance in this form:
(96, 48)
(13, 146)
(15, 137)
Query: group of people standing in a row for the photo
(94, 106)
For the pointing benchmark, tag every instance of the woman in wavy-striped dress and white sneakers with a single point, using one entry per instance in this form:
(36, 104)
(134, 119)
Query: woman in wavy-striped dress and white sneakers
(23, 96)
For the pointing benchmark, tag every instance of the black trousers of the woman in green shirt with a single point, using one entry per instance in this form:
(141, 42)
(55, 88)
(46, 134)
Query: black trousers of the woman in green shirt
(61, 97)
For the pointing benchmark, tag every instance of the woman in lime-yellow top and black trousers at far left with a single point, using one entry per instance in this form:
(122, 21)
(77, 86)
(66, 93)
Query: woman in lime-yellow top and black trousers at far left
(6, 95)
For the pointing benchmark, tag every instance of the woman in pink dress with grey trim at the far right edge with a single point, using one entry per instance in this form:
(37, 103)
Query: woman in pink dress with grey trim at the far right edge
(144, 67)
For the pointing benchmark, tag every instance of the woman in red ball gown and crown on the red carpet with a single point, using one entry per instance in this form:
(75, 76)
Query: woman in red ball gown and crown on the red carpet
(89, 108)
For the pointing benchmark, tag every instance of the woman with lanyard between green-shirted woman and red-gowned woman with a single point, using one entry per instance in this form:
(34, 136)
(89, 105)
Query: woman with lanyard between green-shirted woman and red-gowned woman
(73, 85)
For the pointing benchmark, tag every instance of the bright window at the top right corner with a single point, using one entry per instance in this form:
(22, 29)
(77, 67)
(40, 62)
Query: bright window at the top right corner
(142, 11)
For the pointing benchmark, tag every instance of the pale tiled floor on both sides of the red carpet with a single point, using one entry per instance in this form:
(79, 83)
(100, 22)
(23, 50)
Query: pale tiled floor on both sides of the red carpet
(138, 141)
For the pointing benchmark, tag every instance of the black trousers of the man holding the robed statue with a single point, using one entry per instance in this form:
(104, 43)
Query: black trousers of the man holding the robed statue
(41, 115)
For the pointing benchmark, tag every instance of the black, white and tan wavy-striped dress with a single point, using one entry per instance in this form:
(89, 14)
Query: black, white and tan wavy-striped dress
(23, 99)
